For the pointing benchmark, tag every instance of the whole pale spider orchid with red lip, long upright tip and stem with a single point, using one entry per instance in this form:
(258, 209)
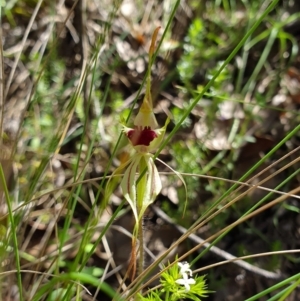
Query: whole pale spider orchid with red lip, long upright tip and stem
(141, 182)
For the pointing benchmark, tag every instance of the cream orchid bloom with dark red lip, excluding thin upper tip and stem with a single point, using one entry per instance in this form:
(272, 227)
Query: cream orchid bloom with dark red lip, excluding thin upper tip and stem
(144, 138)
